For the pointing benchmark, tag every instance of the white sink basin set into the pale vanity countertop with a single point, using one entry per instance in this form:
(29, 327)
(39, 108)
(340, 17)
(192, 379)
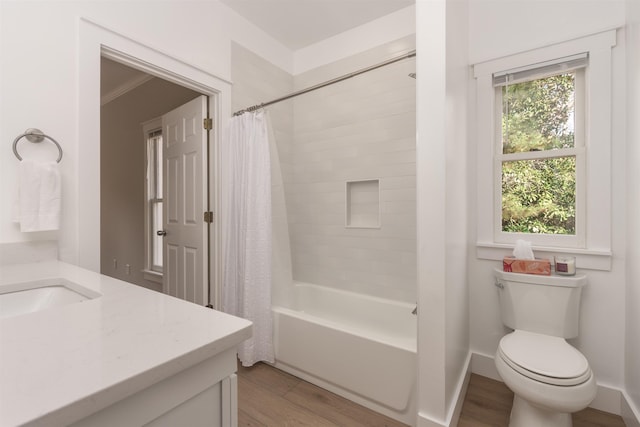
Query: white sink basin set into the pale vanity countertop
(28, 297)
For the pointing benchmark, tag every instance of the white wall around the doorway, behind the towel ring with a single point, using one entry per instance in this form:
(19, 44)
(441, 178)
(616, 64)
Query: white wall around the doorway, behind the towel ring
(41, 83)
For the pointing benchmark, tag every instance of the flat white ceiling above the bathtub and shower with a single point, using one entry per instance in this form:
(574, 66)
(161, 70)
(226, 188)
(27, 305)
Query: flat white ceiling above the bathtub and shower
(300, 23)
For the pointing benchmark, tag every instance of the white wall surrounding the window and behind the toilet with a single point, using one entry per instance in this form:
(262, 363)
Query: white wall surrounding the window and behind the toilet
(499, 28)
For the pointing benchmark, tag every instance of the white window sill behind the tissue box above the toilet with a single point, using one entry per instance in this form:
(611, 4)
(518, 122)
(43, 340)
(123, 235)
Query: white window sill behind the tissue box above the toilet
(585, 258)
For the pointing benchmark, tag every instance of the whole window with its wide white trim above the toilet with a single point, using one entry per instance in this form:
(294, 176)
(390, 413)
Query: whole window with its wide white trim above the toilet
(544, 151)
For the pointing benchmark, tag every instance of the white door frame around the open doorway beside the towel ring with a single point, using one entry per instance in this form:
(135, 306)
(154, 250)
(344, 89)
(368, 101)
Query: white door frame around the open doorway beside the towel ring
(96, 41)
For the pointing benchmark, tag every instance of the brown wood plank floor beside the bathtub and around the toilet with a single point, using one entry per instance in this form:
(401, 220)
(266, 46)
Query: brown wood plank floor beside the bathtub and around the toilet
(268, 397)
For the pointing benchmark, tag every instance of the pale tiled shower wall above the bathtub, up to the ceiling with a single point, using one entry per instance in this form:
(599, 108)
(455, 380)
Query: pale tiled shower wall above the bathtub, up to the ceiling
(359, 130)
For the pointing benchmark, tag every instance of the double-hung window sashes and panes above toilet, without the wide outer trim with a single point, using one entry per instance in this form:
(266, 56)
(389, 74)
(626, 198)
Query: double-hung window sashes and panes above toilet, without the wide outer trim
(540, 151)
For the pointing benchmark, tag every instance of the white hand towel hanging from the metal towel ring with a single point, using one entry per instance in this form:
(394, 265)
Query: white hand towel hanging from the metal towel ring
(37, 207)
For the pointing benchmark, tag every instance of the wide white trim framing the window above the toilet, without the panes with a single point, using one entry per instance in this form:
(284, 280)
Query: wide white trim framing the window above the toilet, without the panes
(595, 251)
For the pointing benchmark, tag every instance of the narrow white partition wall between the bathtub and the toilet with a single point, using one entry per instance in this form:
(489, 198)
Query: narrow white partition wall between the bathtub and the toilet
(443, 340)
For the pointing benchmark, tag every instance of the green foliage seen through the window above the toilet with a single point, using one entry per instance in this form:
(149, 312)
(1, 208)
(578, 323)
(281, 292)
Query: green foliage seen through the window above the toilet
(538, 195)
